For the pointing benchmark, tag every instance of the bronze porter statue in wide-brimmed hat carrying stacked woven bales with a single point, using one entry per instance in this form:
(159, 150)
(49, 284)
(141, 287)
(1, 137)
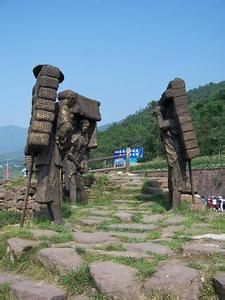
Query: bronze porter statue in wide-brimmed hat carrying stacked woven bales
(41, 142)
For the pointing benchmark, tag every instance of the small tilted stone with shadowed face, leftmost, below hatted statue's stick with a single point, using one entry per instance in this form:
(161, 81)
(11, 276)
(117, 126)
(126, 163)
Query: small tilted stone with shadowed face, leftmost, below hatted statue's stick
(17, 246)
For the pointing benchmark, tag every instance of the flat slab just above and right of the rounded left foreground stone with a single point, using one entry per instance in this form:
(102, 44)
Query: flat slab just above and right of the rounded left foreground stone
(93, 237)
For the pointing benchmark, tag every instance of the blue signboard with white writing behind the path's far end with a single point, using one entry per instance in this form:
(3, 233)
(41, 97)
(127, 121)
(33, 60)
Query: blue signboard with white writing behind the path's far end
(133, 153)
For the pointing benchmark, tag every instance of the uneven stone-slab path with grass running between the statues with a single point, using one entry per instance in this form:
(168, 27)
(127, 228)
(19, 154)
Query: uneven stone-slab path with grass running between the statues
(127, 249)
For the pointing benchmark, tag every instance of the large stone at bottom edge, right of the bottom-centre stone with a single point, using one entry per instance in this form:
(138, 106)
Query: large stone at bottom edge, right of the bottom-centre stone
(182, 282)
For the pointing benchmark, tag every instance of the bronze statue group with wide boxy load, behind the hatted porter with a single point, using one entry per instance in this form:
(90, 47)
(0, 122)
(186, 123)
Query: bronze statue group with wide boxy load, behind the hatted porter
(79, 121)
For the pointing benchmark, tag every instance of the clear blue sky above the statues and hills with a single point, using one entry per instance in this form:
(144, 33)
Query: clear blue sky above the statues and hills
(120, 52)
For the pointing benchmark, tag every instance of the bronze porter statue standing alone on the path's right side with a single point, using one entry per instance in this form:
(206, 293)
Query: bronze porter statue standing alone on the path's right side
(178, 136)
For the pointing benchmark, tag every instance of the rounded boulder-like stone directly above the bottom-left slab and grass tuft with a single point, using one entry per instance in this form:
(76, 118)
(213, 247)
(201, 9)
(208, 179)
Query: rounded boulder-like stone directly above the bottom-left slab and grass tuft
(60, 260)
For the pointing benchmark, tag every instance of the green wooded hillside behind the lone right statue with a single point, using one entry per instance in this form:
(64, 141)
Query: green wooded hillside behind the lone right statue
(207, 106)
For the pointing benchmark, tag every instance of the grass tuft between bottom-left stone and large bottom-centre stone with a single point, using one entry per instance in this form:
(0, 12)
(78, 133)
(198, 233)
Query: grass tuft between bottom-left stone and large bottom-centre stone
(77, 282)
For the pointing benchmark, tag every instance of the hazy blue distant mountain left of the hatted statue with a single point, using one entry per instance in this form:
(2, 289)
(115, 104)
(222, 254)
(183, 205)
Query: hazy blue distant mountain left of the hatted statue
(12, 139)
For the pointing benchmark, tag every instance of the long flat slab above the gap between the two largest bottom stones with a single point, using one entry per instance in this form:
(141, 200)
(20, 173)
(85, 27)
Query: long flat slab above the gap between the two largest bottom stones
(150, 247)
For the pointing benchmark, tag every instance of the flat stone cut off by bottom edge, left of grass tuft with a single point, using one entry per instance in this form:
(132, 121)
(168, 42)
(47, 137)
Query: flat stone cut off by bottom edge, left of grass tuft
(27, 290)
